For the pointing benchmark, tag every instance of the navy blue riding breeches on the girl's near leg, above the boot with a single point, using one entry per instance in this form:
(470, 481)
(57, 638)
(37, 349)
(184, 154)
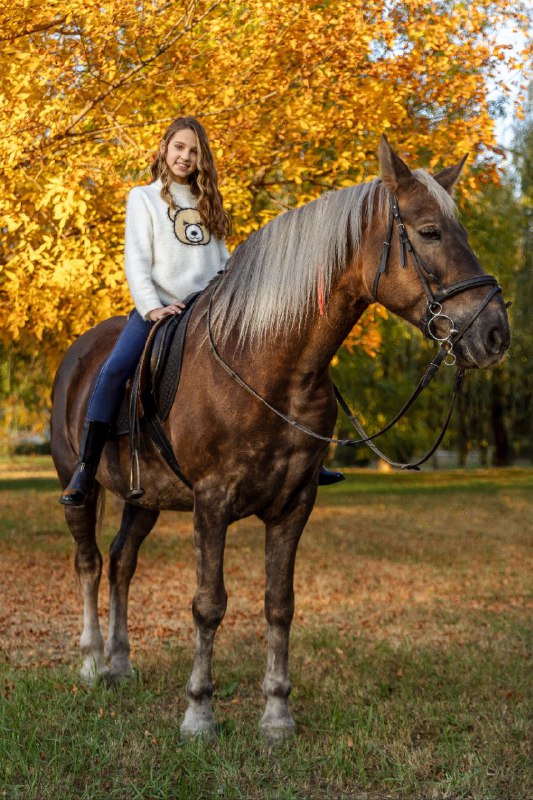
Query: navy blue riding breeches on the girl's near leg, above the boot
(119, 366)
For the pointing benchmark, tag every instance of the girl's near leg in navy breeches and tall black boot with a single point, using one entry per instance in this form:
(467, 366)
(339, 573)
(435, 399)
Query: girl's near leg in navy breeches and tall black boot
(104, 405)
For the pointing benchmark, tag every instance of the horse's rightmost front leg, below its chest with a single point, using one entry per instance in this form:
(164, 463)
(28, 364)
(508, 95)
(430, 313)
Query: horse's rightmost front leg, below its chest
(282, 541)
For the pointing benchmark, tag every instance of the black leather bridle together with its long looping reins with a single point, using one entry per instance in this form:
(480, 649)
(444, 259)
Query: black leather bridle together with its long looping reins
(434, 312)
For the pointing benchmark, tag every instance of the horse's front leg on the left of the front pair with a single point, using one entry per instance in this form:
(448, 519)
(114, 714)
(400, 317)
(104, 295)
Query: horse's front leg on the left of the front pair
(209, 607)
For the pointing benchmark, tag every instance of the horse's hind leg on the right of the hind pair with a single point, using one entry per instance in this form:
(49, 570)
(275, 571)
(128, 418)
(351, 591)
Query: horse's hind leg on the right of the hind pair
(136, 524)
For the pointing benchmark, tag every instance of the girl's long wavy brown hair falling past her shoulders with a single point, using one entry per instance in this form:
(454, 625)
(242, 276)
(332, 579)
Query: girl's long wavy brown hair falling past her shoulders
(203, 181)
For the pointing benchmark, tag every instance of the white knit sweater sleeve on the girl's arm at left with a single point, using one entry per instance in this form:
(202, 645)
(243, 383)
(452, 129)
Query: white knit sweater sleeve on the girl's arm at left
(138, 253)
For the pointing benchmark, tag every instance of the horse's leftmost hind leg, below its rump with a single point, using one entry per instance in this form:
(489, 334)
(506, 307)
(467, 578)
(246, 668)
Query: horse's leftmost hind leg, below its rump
(88, 561)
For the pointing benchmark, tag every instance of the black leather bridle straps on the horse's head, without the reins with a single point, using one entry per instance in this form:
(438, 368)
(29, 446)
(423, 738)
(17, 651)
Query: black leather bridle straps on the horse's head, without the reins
(427, 277)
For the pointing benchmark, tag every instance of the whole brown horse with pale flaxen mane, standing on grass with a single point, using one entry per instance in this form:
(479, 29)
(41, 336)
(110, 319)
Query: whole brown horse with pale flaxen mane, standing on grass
(290, 295)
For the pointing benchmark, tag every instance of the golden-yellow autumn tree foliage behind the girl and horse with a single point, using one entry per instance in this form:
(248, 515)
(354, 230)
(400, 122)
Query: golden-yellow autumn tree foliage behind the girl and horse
(294, 96)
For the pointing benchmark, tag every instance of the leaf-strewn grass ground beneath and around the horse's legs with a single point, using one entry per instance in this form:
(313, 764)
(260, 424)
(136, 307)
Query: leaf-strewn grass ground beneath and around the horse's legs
(409, 653)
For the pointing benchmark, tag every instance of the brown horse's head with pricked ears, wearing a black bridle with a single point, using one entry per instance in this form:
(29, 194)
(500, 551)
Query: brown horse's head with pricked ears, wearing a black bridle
(431, 276)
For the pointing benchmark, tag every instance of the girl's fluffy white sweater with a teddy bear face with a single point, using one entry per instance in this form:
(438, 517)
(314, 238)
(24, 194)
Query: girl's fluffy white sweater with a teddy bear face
(168, 255)
